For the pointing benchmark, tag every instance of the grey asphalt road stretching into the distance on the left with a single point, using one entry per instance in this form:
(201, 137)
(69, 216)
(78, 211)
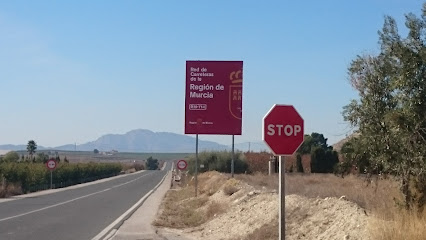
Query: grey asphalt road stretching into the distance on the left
(75, 214)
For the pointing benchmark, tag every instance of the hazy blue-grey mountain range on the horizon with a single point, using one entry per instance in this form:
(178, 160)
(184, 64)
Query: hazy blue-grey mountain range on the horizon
(142, 140)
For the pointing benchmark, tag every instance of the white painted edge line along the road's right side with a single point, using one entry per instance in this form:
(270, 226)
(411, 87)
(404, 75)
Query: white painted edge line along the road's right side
(120, 220)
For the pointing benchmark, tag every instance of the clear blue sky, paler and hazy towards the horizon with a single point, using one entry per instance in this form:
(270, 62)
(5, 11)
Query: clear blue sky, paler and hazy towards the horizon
(71, 71)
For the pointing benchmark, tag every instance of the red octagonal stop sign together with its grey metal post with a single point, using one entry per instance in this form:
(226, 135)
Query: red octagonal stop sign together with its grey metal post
(283, 131)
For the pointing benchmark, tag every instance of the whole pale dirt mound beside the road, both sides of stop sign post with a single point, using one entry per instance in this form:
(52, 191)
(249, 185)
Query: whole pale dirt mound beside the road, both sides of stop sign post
(251, 213)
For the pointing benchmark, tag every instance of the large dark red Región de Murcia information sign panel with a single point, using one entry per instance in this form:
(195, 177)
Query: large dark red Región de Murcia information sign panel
(213, 100)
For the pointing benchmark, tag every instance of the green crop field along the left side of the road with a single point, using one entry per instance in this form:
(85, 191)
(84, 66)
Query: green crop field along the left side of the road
(23, 177)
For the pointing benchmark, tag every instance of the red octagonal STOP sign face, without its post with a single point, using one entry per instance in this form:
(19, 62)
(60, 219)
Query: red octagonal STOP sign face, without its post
(283, 129)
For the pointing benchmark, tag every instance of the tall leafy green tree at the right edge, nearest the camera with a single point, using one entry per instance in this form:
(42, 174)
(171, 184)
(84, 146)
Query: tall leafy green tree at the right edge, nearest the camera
(390, 114)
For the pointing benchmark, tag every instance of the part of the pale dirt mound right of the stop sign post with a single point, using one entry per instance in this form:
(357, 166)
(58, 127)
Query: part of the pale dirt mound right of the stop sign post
(328, 218)
